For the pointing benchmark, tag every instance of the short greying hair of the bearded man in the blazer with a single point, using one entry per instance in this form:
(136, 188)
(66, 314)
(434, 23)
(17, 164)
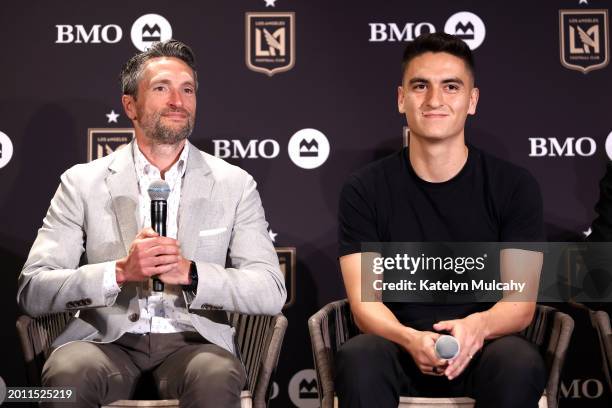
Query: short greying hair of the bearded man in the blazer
(132, 70)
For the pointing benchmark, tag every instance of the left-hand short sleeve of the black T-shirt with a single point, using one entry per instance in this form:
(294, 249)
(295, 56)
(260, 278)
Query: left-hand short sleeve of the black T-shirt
(356, 218)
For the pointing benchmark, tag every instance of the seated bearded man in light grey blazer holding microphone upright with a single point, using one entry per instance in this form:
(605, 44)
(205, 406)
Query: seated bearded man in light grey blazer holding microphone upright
(95, 255)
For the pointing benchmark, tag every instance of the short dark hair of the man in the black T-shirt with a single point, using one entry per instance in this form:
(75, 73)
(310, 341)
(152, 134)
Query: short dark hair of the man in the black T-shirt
(438, 42)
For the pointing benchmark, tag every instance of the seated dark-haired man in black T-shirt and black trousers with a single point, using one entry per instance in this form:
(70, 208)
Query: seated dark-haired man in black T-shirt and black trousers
(439, 189)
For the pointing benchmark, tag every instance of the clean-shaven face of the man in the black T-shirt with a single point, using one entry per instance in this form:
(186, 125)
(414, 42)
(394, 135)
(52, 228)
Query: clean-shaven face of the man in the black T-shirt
(436, 95)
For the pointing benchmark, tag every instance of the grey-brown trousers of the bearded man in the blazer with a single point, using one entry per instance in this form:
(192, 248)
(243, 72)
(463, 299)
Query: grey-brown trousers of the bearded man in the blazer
(184, 366)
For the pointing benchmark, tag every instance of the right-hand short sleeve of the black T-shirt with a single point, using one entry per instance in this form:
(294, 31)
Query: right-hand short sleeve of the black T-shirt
(523, 218)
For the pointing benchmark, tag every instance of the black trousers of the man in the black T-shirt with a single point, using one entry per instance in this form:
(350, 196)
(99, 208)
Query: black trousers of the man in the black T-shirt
(373, 372)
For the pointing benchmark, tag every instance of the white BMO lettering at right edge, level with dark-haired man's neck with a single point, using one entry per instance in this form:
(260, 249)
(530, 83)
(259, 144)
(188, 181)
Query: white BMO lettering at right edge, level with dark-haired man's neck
(570, 147)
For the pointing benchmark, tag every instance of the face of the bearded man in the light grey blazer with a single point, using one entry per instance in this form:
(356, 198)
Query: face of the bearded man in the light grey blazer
(165, 106)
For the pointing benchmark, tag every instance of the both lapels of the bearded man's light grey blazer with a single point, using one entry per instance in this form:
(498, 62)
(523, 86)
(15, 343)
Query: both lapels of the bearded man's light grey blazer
(196, 191)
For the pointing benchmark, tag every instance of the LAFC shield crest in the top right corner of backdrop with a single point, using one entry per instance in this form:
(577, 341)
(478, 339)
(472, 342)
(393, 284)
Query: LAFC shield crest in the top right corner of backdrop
(584, 39)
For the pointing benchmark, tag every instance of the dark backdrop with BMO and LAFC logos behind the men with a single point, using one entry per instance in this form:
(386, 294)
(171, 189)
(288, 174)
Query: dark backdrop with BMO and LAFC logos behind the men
(300, 94)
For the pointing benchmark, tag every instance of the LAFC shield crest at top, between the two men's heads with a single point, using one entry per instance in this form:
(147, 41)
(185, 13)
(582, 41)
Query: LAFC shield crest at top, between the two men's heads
(270, 42)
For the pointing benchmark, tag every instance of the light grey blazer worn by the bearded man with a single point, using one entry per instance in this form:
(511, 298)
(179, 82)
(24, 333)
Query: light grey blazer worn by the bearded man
(93, 219)
